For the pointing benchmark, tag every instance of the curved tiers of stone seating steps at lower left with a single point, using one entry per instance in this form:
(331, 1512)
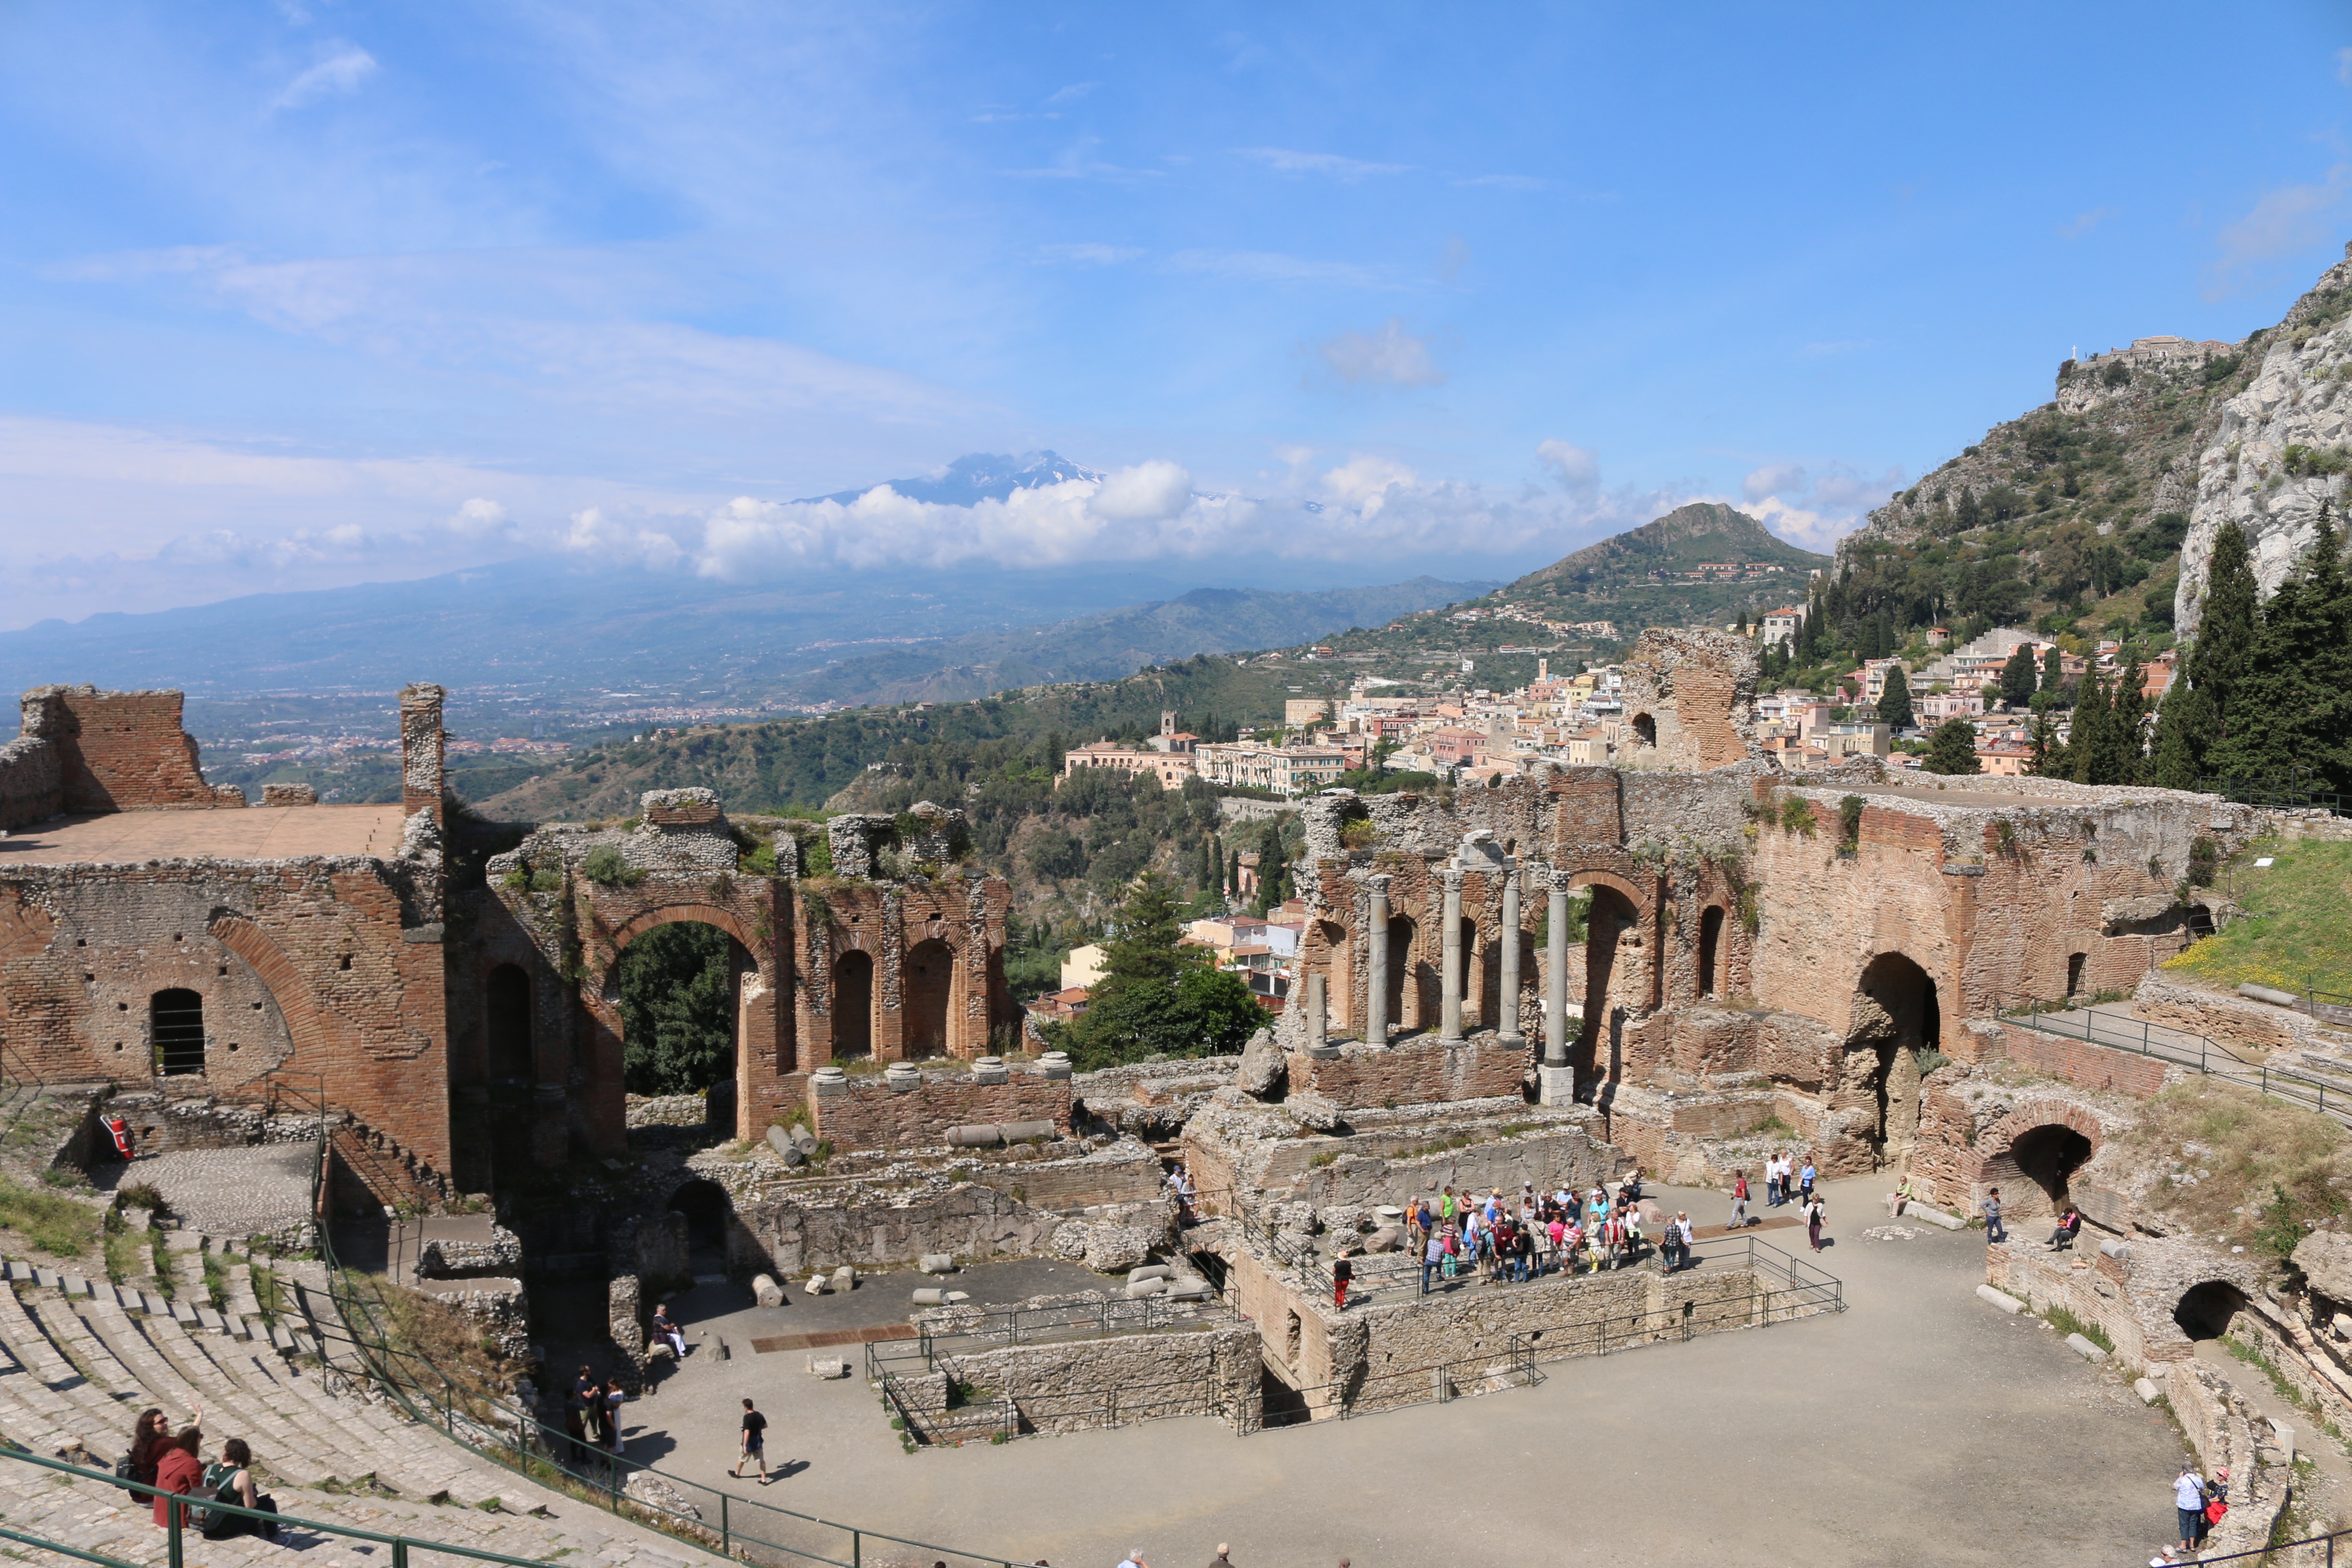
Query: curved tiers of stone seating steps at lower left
(79, 1360)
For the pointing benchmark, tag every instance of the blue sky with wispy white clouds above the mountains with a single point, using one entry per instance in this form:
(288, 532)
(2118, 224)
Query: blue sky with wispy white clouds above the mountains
(305, 295)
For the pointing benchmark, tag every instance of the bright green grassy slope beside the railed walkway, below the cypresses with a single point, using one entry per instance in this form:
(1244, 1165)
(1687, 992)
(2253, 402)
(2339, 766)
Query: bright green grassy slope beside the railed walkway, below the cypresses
(2297, 937)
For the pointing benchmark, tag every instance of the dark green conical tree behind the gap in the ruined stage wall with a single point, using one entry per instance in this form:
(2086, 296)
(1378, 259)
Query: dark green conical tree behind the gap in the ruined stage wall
(1158, 998)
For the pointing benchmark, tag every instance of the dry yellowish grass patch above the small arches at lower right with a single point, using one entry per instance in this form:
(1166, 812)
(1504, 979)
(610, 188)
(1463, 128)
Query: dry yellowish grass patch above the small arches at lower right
(2252, 1170)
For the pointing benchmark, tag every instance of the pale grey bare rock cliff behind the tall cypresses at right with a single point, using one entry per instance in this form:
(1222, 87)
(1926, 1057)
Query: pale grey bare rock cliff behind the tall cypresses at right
(2278, 448)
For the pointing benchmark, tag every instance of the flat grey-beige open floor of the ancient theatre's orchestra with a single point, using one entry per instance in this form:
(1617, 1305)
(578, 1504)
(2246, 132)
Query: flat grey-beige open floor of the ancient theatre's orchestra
(1916, 1428)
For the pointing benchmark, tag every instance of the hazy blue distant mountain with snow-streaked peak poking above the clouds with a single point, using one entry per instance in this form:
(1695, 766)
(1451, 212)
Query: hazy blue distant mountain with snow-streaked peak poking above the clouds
(563, 636)
